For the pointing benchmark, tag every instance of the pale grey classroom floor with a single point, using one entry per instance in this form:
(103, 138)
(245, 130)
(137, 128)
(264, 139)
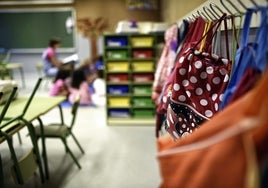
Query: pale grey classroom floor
(116, 156)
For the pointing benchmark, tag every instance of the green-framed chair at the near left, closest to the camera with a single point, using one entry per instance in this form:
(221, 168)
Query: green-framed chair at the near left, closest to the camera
(19, 168)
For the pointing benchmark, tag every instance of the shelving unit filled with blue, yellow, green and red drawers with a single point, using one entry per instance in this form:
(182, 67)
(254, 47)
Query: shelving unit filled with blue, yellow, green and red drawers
(130, 62)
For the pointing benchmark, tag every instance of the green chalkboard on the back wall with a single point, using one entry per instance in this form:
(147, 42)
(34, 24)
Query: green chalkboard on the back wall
(32, 29)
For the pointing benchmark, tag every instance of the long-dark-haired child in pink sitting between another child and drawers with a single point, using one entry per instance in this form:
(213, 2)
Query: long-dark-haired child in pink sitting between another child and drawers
(79, 85)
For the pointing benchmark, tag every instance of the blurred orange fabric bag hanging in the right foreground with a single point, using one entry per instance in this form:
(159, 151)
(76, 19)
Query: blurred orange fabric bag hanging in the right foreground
(225, 152)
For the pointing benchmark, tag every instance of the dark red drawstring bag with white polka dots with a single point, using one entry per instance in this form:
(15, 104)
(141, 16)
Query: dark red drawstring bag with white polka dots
(197, 91)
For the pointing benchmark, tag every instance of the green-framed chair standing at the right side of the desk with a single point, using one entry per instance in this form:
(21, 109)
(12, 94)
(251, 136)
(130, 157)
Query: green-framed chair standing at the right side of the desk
(63, 131)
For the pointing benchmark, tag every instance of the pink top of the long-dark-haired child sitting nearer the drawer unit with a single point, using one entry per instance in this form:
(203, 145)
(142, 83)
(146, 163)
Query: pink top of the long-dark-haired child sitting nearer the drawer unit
(85, 96)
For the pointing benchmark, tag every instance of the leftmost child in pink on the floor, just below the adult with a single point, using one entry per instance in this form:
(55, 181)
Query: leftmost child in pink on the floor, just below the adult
(60, 83)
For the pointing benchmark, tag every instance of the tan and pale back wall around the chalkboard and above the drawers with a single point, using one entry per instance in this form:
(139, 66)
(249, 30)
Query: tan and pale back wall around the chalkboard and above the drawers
(114, 10)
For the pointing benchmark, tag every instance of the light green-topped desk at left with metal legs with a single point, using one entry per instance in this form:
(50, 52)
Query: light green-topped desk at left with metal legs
(38, 107)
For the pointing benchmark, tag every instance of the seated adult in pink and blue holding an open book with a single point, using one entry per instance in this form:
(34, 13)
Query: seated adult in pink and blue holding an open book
(51, 63)
